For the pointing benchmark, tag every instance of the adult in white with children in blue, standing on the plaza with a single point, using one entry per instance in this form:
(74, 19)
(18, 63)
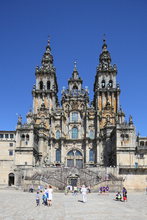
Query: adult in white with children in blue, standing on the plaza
(47, 196)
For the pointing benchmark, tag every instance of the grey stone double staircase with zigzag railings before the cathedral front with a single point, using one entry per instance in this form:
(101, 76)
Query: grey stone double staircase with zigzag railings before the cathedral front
(58, 177)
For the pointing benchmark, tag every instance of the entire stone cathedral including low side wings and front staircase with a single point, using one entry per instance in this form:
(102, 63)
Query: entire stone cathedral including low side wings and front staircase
(78, 134)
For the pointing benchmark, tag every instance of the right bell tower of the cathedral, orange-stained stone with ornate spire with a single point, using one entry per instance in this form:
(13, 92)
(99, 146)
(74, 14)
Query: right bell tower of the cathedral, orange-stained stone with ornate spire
(106, 90)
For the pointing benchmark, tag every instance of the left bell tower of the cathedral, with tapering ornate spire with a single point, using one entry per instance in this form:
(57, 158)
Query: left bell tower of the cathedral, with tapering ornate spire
(45, 90)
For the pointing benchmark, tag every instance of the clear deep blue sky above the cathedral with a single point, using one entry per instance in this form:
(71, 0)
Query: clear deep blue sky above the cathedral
(76, 29)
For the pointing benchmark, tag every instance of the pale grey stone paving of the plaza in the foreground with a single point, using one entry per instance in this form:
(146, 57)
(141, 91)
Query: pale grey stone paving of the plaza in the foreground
(16, 205)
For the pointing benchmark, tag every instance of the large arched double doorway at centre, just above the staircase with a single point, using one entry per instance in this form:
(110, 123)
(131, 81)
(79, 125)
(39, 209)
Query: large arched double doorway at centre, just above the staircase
(74, 159)
